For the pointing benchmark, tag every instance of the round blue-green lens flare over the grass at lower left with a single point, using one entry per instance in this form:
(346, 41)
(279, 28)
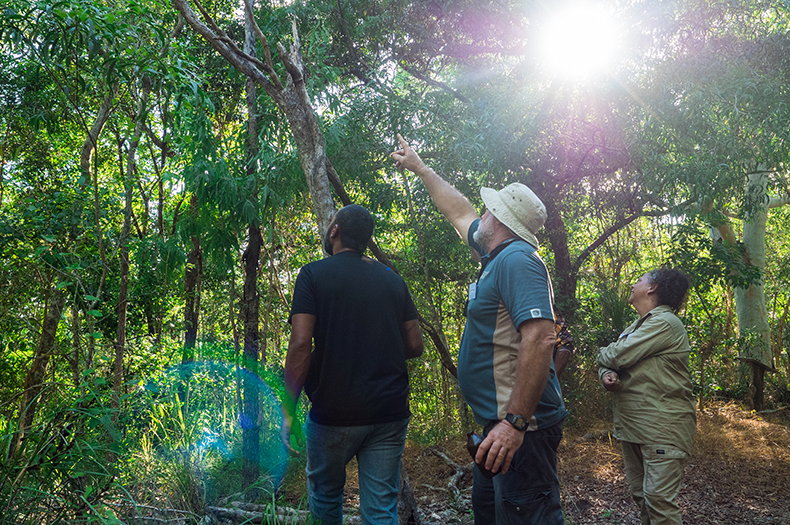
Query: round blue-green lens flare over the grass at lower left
(194, 413)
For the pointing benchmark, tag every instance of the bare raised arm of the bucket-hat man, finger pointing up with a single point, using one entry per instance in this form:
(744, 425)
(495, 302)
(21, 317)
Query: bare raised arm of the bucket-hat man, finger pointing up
(453, 205)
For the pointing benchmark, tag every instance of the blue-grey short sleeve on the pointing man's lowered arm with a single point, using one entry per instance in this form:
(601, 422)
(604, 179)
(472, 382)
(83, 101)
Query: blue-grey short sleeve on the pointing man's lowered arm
(525, 288)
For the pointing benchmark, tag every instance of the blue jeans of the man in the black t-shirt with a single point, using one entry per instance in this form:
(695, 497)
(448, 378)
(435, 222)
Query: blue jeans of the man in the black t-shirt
(378, 449)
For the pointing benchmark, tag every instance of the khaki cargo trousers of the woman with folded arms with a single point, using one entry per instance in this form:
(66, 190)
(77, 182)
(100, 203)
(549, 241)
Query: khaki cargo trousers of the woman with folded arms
(655, 473)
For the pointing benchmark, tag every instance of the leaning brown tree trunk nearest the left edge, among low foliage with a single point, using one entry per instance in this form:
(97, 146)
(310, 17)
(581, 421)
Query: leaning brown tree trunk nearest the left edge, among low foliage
(34, 382)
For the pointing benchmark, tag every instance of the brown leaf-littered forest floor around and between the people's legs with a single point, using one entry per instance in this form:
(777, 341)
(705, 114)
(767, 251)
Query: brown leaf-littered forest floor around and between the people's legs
(739, 473)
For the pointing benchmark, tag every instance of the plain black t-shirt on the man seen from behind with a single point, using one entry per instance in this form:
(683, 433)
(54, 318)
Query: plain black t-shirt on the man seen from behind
(358, 370)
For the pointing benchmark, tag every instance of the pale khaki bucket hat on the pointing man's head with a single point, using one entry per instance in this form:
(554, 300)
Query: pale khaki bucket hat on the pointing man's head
(517, 207)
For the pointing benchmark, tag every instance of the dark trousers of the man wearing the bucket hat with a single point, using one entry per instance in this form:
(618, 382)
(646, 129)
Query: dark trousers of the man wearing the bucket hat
(529, 493)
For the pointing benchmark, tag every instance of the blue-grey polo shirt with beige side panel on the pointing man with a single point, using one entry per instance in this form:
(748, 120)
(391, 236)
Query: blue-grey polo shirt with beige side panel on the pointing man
(515, 287)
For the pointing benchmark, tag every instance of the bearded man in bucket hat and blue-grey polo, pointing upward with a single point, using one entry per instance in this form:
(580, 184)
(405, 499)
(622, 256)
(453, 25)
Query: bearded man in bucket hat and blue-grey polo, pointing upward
(505, 367)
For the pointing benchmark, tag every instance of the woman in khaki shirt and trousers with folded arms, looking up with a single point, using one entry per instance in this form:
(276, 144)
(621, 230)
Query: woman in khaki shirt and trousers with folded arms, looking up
(647, 369)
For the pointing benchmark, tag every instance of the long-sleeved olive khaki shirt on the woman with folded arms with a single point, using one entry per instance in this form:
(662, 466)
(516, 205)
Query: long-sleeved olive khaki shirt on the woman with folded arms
(656, 404)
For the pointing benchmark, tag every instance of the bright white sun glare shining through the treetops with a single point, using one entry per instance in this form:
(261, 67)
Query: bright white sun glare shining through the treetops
(579, 41)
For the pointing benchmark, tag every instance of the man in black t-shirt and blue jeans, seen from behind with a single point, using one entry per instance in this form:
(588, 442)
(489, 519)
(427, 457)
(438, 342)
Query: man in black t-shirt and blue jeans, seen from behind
(360, 317)
